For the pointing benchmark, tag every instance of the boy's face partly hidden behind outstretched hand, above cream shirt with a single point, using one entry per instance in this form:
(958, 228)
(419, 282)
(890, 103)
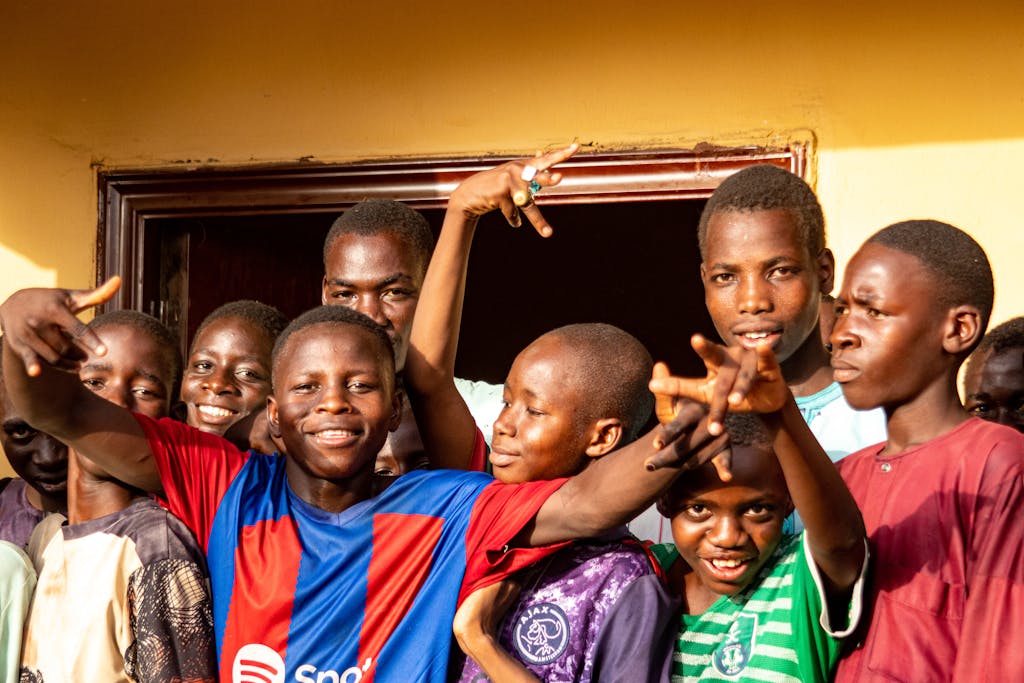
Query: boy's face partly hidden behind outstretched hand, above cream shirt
(136, 373)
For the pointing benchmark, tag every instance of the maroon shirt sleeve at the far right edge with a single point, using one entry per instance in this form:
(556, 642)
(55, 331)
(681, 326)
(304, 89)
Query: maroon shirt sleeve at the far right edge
(995, 608)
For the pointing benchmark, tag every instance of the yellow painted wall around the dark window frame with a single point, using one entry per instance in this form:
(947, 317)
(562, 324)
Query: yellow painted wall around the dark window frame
(917, 107)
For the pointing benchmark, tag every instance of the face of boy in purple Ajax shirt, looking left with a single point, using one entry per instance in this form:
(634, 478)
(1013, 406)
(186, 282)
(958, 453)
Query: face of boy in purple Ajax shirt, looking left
(541, 434)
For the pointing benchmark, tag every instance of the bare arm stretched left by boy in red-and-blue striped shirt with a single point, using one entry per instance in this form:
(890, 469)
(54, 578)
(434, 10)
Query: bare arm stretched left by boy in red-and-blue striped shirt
(44, 339)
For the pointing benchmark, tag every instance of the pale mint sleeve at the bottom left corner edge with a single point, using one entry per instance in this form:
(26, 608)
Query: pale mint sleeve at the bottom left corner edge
(18, 580)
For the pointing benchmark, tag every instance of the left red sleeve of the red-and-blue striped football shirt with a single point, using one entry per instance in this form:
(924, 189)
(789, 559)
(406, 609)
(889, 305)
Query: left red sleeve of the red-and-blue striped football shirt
(195, 468)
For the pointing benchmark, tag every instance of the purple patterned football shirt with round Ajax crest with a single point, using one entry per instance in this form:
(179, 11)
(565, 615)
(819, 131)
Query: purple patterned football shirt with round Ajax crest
(594, 612)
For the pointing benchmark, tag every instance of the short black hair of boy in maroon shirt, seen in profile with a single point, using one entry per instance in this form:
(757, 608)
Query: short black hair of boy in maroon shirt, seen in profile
(958, 263)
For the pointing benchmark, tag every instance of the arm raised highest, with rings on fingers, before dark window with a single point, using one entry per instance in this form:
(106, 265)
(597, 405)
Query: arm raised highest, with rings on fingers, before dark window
(446, 425)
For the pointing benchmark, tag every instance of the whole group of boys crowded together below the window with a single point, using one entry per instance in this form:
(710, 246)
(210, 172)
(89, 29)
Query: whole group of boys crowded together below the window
(323, 570)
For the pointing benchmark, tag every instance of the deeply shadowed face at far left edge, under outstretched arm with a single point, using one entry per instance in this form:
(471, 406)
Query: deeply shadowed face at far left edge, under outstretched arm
(36, 457)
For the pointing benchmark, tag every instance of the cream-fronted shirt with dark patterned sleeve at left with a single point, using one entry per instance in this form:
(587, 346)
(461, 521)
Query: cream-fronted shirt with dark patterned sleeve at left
(123, 597)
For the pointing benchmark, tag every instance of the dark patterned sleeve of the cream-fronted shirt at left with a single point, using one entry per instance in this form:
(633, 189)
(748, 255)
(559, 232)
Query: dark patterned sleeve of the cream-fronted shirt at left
(172, 617)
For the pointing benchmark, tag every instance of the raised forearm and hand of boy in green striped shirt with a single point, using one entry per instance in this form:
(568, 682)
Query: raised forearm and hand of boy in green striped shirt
(745, 380)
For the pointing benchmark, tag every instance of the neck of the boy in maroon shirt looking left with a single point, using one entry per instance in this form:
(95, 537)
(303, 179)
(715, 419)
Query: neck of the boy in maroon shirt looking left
(931, 414)
